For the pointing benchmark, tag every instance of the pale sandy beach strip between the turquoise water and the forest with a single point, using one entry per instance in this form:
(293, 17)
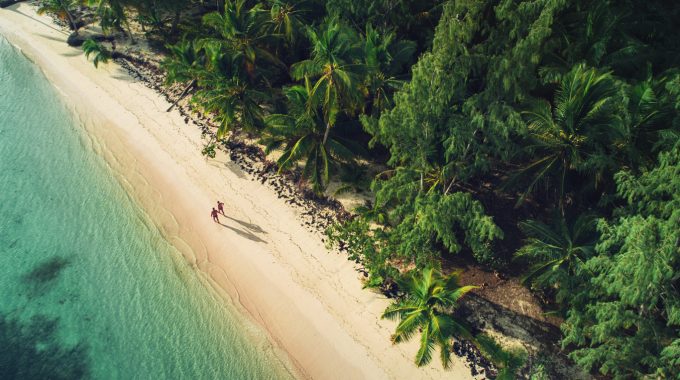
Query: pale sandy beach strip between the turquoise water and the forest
(308, 299)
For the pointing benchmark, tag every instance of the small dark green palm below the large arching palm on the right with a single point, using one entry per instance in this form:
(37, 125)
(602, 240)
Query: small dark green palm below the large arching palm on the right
(557, 253)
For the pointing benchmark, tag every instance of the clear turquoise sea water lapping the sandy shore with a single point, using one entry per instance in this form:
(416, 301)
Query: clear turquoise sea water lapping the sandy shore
(88, 286)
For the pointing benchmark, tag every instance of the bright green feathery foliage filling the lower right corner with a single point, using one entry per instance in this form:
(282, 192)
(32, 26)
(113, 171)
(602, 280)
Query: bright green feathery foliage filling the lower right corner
(626, 321)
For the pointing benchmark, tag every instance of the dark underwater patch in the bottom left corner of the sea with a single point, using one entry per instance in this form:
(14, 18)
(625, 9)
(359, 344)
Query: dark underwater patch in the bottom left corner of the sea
(32, 350)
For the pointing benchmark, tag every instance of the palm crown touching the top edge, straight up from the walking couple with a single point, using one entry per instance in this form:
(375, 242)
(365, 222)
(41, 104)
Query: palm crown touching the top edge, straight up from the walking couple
(241, 32)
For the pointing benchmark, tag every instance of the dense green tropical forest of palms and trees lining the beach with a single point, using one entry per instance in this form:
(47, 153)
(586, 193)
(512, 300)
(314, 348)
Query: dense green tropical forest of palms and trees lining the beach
(539, 136)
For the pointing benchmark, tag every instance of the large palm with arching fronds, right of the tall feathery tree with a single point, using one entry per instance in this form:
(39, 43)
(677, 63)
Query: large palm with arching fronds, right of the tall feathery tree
(575, 133)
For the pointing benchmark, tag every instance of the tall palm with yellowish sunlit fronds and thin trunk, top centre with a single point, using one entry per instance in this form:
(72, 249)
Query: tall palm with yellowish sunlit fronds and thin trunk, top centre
(335, 65)
